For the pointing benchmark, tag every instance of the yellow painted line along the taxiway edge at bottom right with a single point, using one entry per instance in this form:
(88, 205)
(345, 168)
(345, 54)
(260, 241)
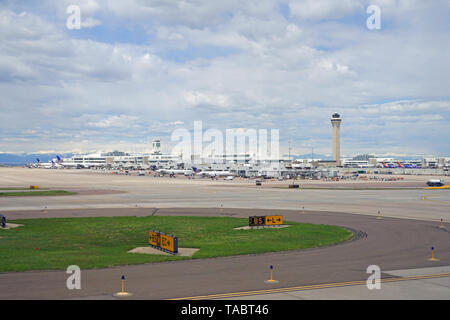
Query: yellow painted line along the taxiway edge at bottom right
(311, 287)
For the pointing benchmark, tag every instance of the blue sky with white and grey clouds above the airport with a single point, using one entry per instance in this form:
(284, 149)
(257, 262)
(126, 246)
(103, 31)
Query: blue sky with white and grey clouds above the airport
(139, 69)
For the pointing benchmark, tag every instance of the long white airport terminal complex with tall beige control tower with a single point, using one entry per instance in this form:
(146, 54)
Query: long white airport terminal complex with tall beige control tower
(246, 164)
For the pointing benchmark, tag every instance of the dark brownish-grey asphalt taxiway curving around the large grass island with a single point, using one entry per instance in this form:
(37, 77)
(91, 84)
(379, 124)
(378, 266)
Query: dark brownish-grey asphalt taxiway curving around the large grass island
(390, 243)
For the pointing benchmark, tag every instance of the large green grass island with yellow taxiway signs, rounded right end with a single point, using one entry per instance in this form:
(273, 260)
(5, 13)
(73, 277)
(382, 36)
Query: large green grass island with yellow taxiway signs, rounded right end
(43, 244)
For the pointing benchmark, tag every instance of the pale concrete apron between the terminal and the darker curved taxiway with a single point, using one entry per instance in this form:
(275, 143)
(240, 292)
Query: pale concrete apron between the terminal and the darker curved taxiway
(102, 190)
